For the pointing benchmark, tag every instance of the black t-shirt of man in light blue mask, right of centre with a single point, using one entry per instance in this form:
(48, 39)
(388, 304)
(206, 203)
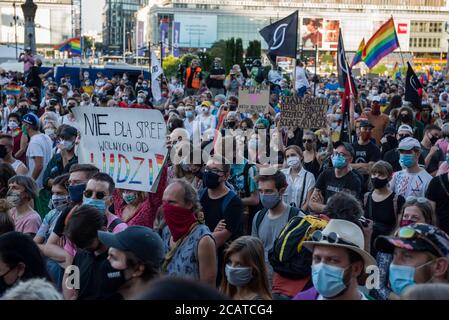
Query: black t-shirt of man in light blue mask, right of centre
(329, 184)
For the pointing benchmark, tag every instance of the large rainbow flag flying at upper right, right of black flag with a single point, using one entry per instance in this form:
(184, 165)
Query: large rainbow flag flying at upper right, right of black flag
(381, 44)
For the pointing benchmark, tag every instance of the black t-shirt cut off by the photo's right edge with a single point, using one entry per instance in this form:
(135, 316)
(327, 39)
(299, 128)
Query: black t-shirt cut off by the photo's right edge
(440, 195)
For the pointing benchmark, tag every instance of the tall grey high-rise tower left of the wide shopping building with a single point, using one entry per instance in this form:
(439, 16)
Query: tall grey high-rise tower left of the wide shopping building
(119, 25)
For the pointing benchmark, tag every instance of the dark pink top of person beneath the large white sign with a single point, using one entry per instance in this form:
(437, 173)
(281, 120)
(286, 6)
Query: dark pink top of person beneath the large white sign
(146, 211)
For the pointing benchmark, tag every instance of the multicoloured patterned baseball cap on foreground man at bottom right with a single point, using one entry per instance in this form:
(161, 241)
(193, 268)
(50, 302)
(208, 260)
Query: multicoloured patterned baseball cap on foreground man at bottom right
(416, 237)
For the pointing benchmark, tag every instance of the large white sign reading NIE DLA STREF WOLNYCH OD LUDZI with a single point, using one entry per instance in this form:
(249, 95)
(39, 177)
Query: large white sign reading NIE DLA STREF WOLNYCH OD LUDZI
(127, 144)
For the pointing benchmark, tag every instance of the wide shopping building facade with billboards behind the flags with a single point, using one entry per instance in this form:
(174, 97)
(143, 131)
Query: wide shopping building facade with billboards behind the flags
(197, 24)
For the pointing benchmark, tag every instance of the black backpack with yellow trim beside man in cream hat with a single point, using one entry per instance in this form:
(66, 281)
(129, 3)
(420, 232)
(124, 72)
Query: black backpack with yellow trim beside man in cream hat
(288, 257)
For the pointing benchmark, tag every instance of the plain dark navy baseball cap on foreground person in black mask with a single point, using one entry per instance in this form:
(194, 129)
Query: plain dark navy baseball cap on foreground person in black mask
(143, 242)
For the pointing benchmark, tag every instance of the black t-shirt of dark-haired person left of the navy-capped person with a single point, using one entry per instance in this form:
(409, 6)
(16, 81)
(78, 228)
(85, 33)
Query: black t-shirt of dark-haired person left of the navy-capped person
(98, 280)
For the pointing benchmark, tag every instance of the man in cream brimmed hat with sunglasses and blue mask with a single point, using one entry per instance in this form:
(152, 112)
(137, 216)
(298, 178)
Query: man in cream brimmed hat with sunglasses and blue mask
(339, 262)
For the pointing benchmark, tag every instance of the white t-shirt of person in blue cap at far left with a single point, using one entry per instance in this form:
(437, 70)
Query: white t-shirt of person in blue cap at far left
(40, 146)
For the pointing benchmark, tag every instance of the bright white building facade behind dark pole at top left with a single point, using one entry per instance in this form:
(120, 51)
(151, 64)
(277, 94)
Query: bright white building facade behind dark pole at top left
(53, 22)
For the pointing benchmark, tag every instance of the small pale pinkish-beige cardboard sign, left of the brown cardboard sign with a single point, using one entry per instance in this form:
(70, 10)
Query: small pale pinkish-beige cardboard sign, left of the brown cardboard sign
(254, 99)
